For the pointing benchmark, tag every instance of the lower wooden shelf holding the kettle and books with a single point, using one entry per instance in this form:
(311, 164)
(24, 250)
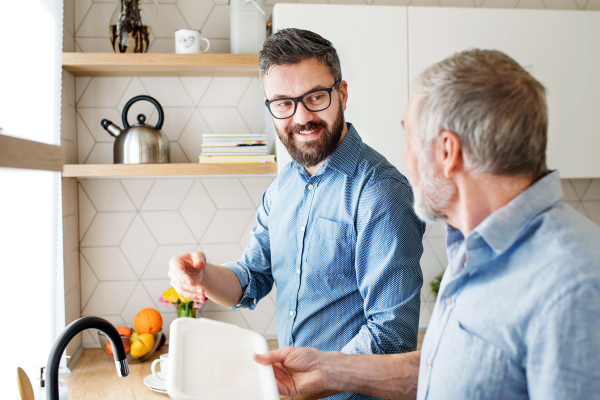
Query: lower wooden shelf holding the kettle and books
(111, 170)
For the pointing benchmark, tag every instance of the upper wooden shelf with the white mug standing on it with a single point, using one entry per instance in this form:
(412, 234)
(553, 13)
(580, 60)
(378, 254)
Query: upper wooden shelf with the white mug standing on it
(154, 64)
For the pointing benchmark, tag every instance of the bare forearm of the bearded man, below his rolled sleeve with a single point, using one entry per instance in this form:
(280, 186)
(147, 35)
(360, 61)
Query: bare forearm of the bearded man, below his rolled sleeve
(221, 285)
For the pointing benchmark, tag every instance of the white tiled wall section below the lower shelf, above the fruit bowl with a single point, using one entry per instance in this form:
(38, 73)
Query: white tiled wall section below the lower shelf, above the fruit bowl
(125, 254)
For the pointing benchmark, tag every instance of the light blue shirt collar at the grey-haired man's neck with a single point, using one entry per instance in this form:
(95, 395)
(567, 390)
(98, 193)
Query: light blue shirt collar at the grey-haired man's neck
(502, 228)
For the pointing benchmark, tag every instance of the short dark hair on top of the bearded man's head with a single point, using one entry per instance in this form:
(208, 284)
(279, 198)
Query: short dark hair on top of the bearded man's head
(292, 46)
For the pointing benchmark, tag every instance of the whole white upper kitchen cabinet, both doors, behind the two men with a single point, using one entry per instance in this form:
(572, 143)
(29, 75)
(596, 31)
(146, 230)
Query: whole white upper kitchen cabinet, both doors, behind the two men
(384, 49)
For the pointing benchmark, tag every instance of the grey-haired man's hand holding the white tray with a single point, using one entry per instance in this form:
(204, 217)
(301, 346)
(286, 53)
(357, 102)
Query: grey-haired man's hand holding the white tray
(298, 370)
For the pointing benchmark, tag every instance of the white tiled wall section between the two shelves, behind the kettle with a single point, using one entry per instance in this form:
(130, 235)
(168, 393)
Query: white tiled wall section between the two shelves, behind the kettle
(192, 107)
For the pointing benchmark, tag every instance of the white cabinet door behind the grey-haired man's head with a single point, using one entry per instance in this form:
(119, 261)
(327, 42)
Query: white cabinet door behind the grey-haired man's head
(560, 48)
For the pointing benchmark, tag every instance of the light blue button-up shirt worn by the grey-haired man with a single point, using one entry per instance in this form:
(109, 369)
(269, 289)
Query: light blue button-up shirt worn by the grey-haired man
(518, 314)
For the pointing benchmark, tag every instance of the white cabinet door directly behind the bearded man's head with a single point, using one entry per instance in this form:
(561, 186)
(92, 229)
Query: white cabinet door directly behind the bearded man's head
(372, 45)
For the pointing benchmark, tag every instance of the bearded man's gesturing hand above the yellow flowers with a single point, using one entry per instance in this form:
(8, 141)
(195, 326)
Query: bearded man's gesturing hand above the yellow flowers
(186, 273)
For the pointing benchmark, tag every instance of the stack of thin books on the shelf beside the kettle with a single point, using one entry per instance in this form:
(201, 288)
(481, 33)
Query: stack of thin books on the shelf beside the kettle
(234, 149)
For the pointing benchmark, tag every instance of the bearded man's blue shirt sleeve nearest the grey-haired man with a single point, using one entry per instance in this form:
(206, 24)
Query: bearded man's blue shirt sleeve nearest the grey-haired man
(388, 252)
